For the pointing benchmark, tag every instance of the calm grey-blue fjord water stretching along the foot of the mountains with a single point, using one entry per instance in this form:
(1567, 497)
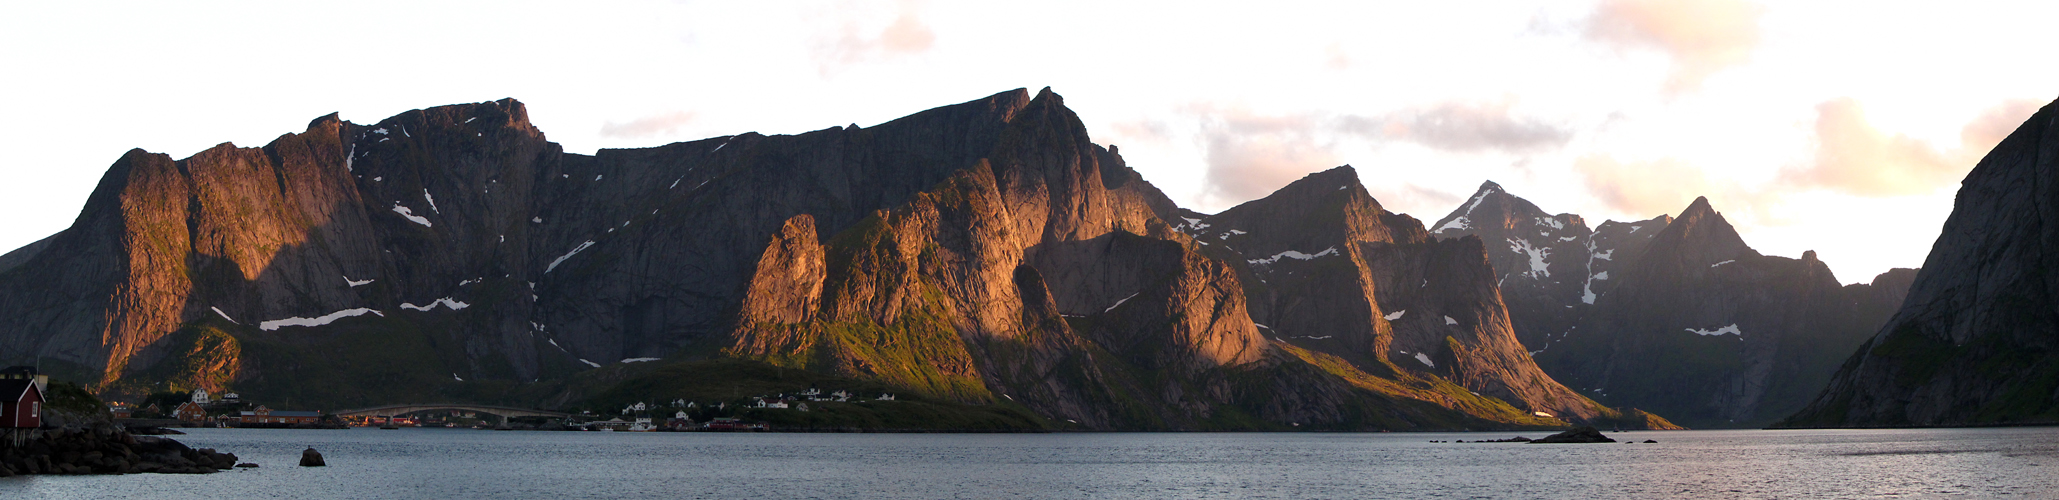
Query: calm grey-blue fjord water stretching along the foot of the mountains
(1691, 464)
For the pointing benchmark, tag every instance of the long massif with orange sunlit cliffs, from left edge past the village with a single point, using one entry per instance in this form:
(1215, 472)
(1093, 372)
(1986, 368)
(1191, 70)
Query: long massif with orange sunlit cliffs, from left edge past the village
(987, 260)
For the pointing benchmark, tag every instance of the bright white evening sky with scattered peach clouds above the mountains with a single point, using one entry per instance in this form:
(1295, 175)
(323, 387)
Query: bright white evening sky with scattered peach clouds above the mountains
(1829, 127)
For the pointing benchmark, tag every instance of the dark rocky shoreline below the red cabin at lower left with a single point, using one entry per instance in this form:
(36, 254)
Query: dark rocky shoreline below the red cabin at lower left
(102, 450)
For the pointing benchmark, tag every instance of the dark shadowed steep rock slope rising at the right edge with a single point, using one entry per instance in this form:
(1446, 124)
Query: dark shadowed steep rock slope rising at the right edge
(1978, 341)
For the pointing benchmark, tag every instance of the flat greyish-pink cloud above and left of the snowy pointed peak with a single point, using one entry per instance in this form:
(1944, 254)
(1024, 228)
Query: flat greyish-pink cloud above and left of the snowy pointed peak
(1463, 127)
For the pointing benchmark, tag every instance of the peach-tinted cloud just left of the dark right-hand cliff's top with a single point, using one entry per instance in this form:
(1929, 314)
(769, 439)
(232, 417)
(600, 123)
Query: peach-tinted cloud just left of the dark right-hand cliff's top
(1860, 159)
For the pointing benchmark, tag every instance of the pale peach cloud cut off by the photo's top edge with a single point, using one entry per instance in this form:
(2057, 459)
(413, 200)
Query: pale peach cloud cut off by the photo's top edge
(1700, 36)
